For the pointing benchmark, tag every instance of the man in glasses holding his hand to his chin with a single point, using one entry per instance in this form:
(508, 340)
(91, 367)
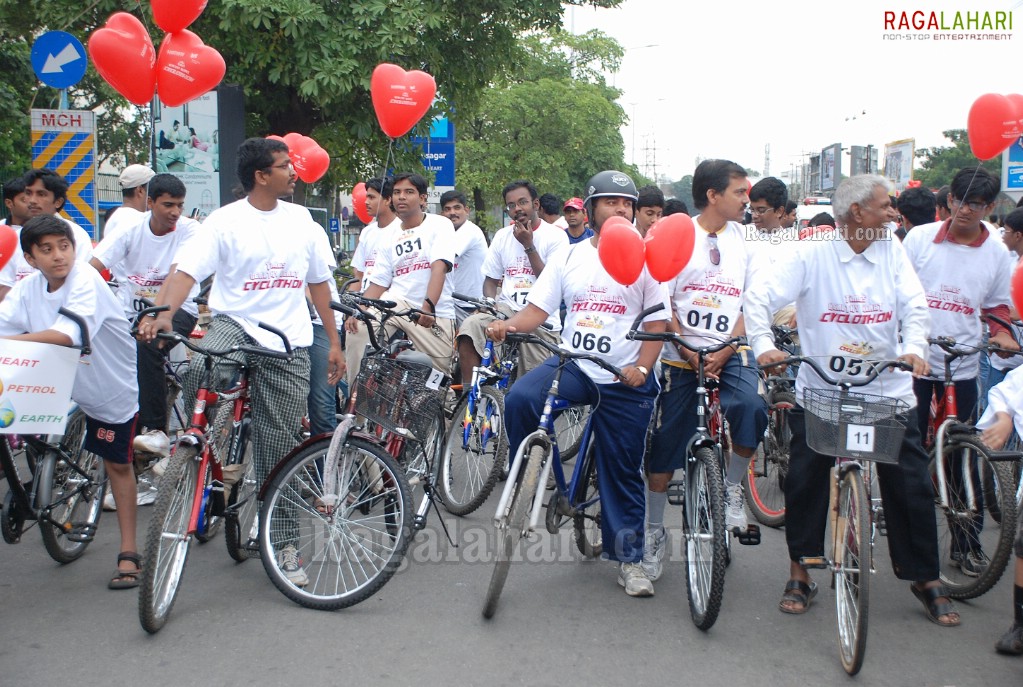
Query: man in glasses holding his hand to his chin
(516, 258)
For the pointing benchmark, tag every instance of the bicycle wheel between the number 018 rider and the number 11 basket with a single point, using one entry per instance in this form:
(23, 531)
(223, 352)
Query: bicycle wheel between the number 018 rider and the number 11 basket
(766, 479)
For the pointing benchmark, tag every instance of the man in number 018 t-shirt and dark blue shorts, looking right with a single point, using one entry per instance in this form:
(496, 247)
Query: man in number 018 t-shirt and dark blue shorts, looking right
(707, 299)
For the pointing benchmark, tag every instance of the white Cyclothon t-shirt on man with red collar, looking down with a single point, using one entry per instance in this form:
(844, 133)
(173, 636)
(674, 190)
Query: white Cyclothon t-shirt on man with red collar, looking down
(960, 282)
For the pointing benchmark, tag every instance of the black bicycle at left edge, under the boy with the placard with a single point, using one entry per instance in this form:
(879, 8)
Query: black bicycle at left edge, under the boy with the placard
(65, 493)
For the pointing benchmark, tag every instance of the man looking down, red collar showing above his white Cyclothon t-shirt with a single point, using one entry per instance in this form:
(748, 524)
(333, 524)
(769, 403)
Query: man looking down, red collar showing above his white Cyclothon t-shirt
(966, 273)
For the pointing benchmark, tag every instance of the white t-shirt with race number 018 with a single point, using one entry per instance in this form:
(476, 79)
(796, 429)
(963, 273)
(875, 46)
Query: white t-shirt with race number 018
(708, 298)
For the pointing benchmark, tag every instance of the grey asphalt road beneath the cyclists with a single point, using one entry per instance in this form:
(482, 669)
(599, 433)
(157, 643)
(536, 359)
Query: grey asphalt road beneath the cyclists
(562, 621)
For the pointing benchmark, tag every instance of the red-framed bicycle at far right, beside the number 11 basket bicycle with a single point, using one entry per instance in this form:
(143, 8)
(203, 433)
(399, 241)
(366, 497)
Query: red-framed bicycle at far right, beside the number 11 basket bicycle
(967, 475)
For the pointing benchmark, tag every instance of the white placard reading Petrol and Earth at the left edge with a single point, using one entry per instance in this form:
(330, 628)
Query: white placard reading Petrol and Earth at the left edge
(35, 387)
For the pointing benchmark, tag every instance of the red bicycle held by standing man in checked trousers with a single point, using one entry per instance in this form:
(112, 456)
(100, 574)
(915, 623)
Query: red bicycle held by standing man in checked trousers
(192, 488)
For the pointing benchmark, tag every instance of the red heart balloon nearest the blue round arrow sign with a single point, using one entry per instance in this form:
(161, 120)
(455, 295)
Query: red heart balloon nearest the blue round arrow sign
(123, 54)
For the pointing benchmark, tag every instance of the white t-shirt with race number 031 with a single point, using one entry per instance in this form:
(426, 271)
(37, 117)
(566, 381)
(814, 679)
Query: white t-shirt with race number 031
(405, 267)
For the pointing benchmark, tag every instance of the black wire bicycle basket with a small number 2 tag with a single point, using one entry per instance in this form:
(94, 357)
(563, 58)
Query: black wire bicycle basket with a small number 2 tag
(394, 395)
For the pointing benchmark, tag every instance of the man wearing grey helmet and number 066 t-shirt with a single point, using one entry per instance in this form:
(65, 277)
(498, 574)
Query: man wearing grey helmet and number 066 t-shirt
(622, 407)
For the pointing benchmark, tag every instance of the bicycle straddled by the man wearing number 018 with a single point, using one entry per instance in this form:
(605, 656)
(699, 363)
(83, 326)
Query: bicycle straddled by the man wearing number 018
(701, 492)
